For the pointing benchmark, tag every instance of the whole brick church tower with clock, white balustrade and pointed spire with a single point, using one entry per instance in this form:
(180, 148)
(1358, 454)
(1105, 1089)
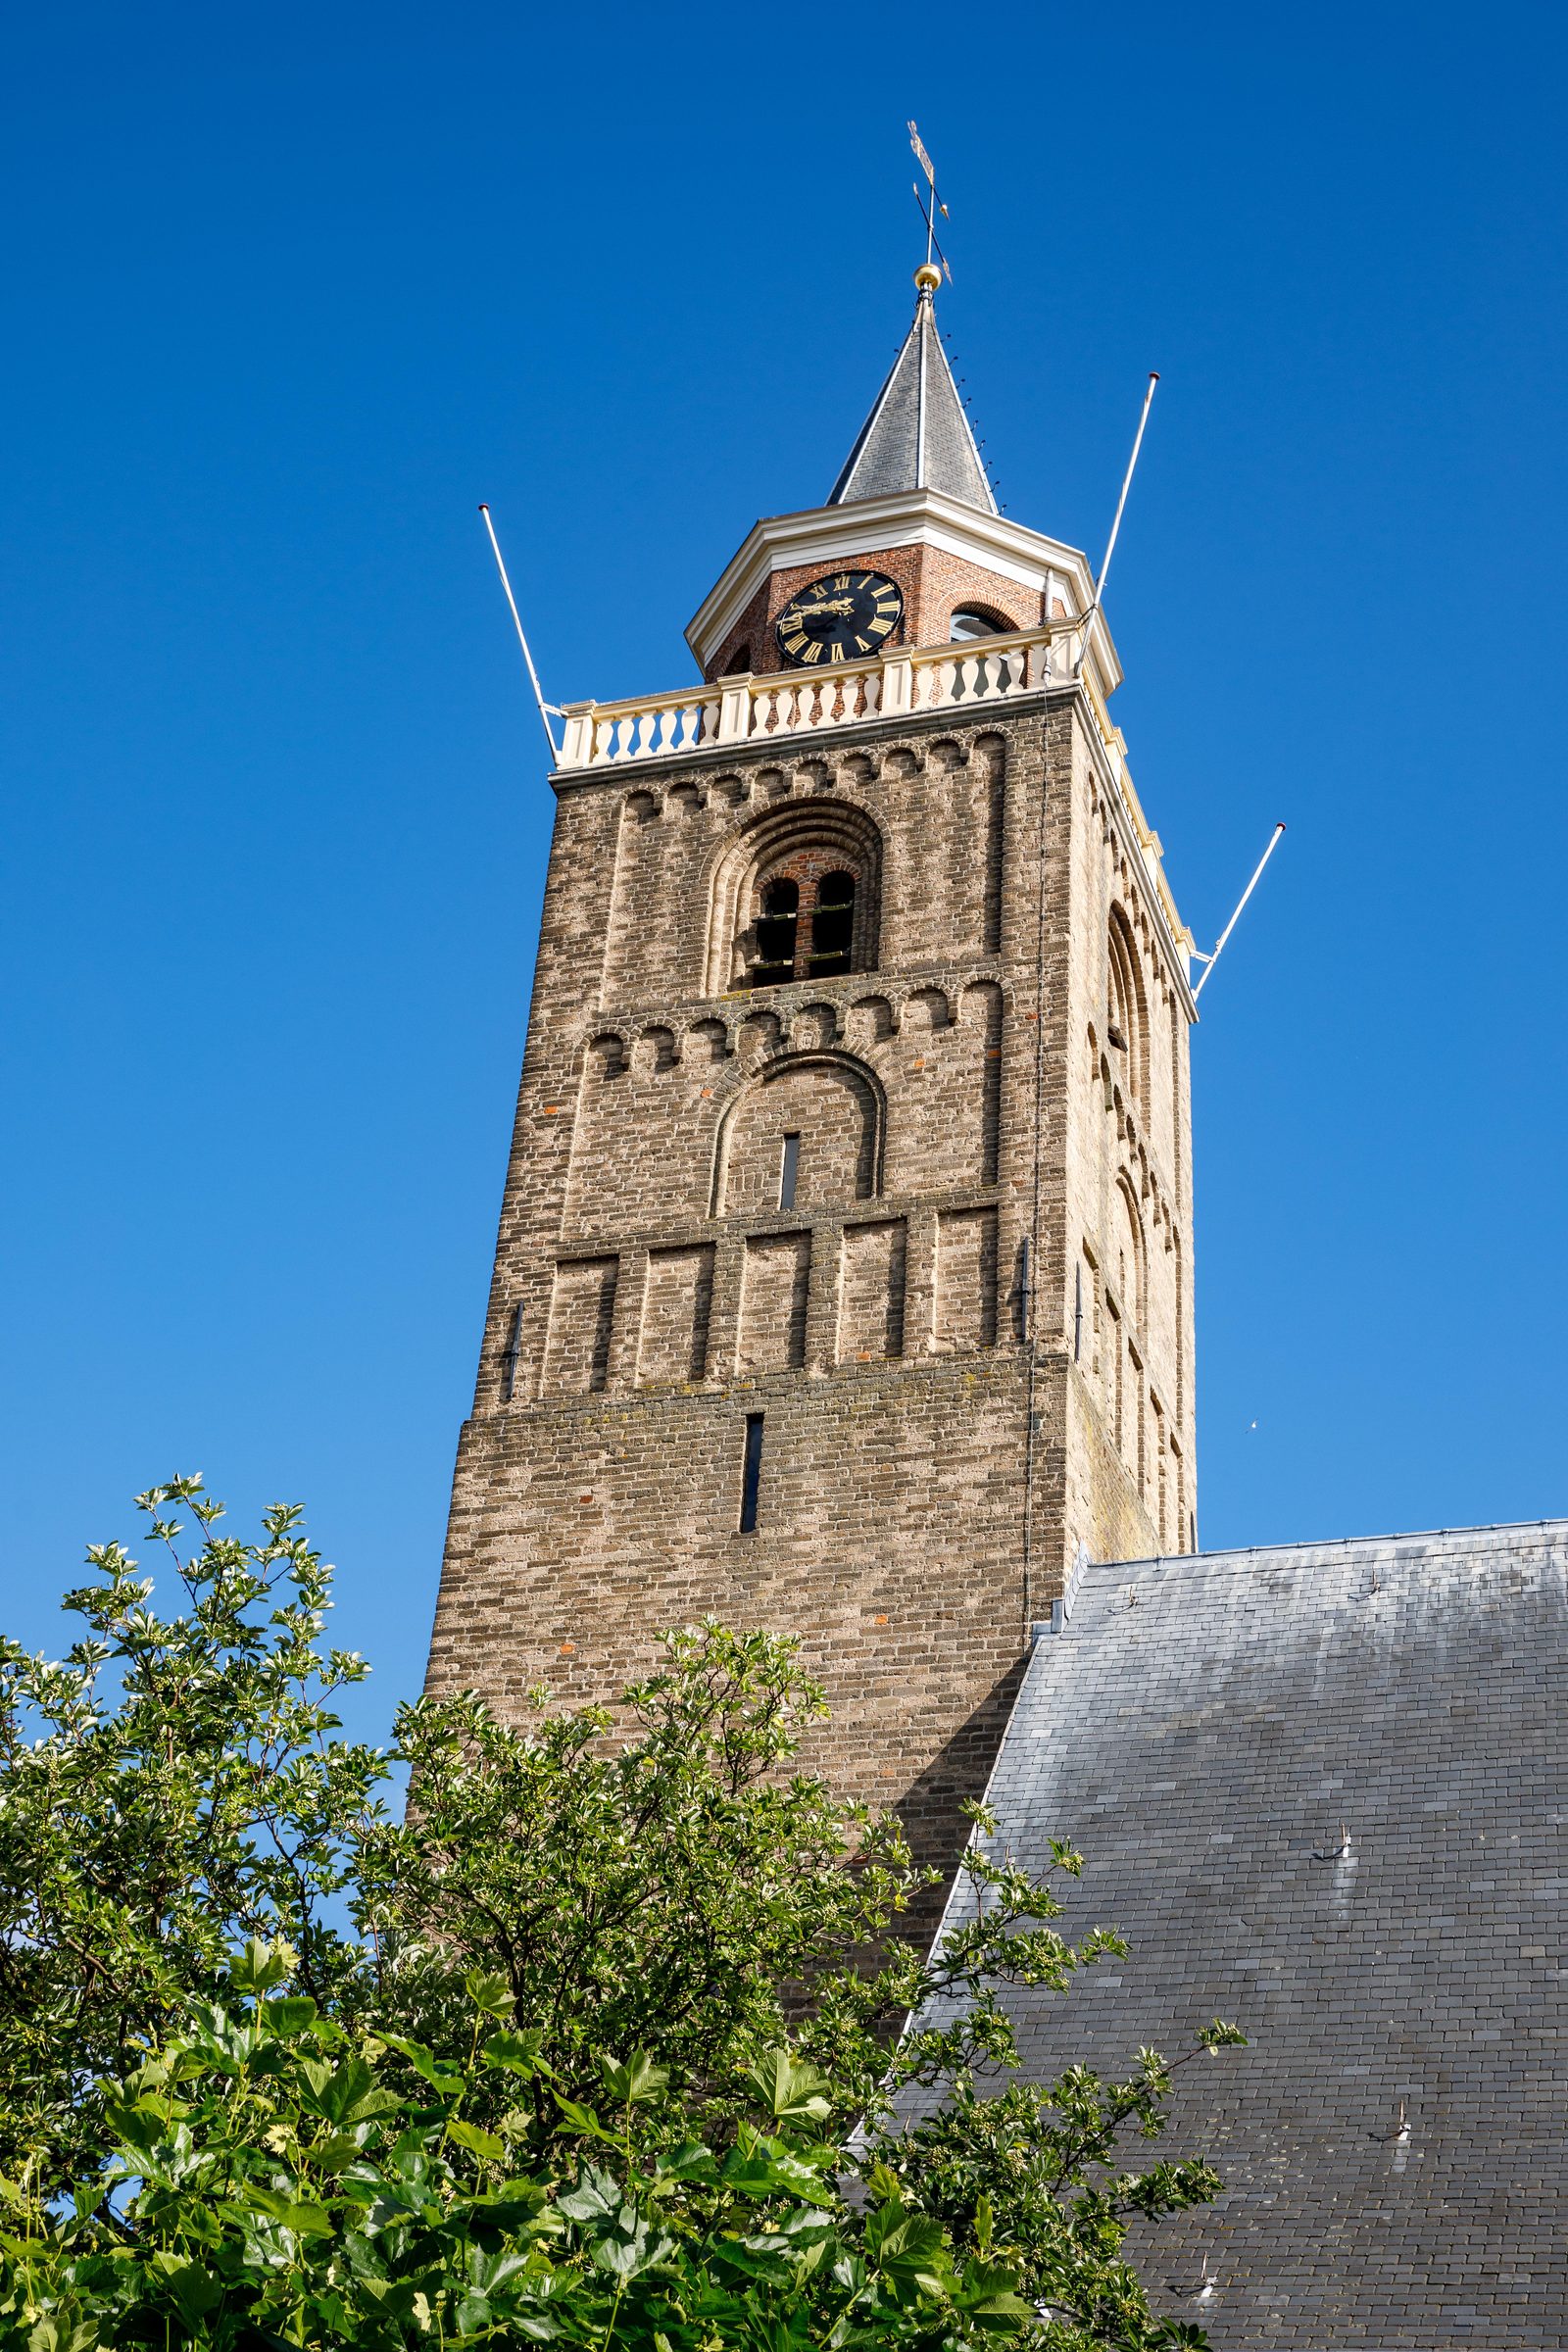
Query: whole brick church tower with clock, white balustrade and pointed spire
(845, 1267)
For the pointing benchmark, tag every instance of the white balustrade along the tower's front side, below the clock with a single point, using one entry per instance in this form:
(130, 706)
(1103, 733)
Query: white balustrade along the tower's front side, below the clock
(805, 702)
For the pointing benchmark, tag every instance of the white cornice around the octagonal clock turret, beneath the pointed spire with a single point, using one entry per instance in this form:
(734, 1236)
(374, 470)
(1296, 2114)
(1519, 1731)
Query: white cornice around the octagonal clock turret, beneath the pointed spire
(911, 519)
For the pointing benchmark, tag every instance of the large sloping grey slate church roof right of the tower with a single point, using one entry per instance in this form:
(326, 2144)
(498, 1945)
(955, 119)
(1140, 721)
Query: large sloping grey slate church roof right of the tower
(1200, 1728)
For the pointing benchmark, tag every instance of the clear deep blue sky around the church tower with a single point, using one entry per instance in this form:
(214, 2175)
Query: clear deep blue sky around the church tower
(290, 290)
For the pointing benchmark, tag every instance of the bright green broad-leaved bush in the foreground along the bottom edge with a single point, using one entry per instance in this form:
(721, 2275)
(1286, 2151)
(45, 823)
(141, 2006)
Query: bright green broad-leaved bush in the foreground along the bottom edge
(272, 2189)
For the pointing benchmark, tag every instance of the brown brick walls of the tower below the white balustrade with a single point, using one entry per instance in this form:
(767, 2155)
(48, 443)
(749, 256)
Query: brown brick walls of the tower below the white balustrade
(655, 1285)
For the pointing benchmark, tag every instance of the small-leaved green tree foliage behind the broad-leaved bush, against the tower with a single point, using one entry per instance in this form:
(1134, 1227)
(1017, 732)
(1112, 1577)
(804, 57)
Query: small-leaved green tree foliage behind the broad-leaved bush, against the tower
(655, 1878)
